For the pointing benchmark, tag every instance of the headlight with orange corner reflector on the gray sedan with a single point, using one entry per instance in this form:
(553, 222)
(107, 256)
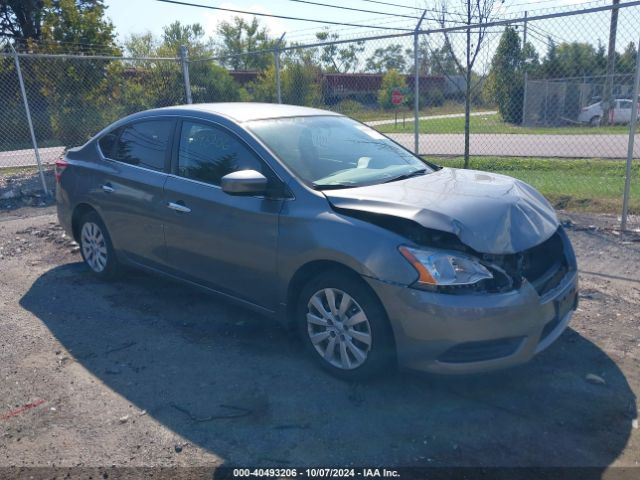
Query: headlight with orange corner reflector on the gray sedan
(445, 268)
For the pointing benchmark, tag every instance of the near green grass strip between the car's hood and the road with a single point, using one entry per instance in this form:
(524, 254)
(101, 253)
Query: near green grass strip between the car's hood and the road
(592, 185)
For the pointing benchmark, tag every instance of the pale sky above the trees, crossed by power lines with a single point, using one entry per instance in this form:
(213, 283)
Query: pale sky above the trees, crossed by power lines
(138, 16)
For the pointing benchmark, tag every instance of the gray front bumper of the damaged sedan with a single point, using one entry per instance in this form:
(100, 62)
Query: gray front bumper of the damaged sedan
(456, 334)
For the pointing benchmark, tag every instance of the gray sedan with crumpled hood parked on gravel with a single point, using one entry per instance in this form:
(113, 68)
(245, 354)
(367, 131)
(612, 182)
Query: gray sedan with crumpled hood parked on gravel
(376, 256)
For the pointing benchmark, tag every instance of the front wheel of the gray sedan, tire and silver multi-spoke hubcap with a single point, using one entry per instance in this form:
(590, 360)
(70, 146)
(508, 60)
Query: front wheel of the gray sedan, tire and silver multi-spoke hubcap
(348, 350)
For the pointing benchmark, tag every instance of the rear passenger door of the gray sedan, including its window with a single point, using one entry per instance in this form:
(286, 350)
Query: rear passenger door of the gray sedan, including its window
(130, 190)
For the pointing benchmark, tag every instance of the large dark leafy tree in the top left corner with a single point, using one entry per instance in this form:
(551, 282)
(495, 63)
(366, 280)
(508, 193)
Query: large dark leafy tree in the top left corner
(61, 93)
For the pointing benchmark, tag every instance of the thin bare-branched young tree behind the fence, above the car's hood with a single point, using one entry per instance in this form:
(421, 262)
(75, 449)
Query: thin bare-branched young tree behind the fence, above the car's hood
(473, 12)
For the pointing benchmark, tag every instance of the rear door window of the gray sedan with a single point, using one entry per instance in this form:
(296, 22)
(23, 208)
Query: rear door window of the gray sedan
(144, 144)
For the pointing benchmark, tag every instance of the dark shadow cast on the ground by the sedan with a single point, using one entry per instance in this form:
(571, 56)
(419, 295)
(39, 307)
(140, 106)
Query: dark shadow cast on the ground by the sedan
(240, 386)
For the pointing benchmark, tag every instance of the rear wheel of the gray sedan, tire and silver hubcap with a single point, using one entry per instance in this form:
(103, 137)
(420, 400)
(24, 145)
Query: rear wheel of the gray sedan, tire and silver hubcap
(96, 247)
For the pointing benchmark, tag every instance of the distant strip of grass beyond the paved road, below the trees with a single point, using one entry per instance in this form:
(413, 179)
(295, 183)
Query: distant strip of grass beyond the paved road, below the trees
(494, 124)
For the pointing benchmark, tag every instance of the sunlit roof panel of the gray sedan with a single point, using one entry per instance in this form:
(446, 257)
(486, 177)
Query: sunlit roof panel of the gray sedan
(247, 111)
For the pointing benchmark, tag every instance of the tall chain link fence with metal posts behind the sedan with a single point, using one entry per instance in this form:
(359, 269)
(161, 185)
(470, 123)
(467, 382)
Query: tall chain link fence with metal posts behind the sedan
(538, 98)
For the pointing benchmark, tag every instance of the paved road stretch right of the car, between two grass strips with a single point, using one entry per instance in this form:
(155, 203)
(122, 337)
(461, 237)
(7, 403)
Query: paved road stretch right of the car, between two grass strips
(512, 145)
